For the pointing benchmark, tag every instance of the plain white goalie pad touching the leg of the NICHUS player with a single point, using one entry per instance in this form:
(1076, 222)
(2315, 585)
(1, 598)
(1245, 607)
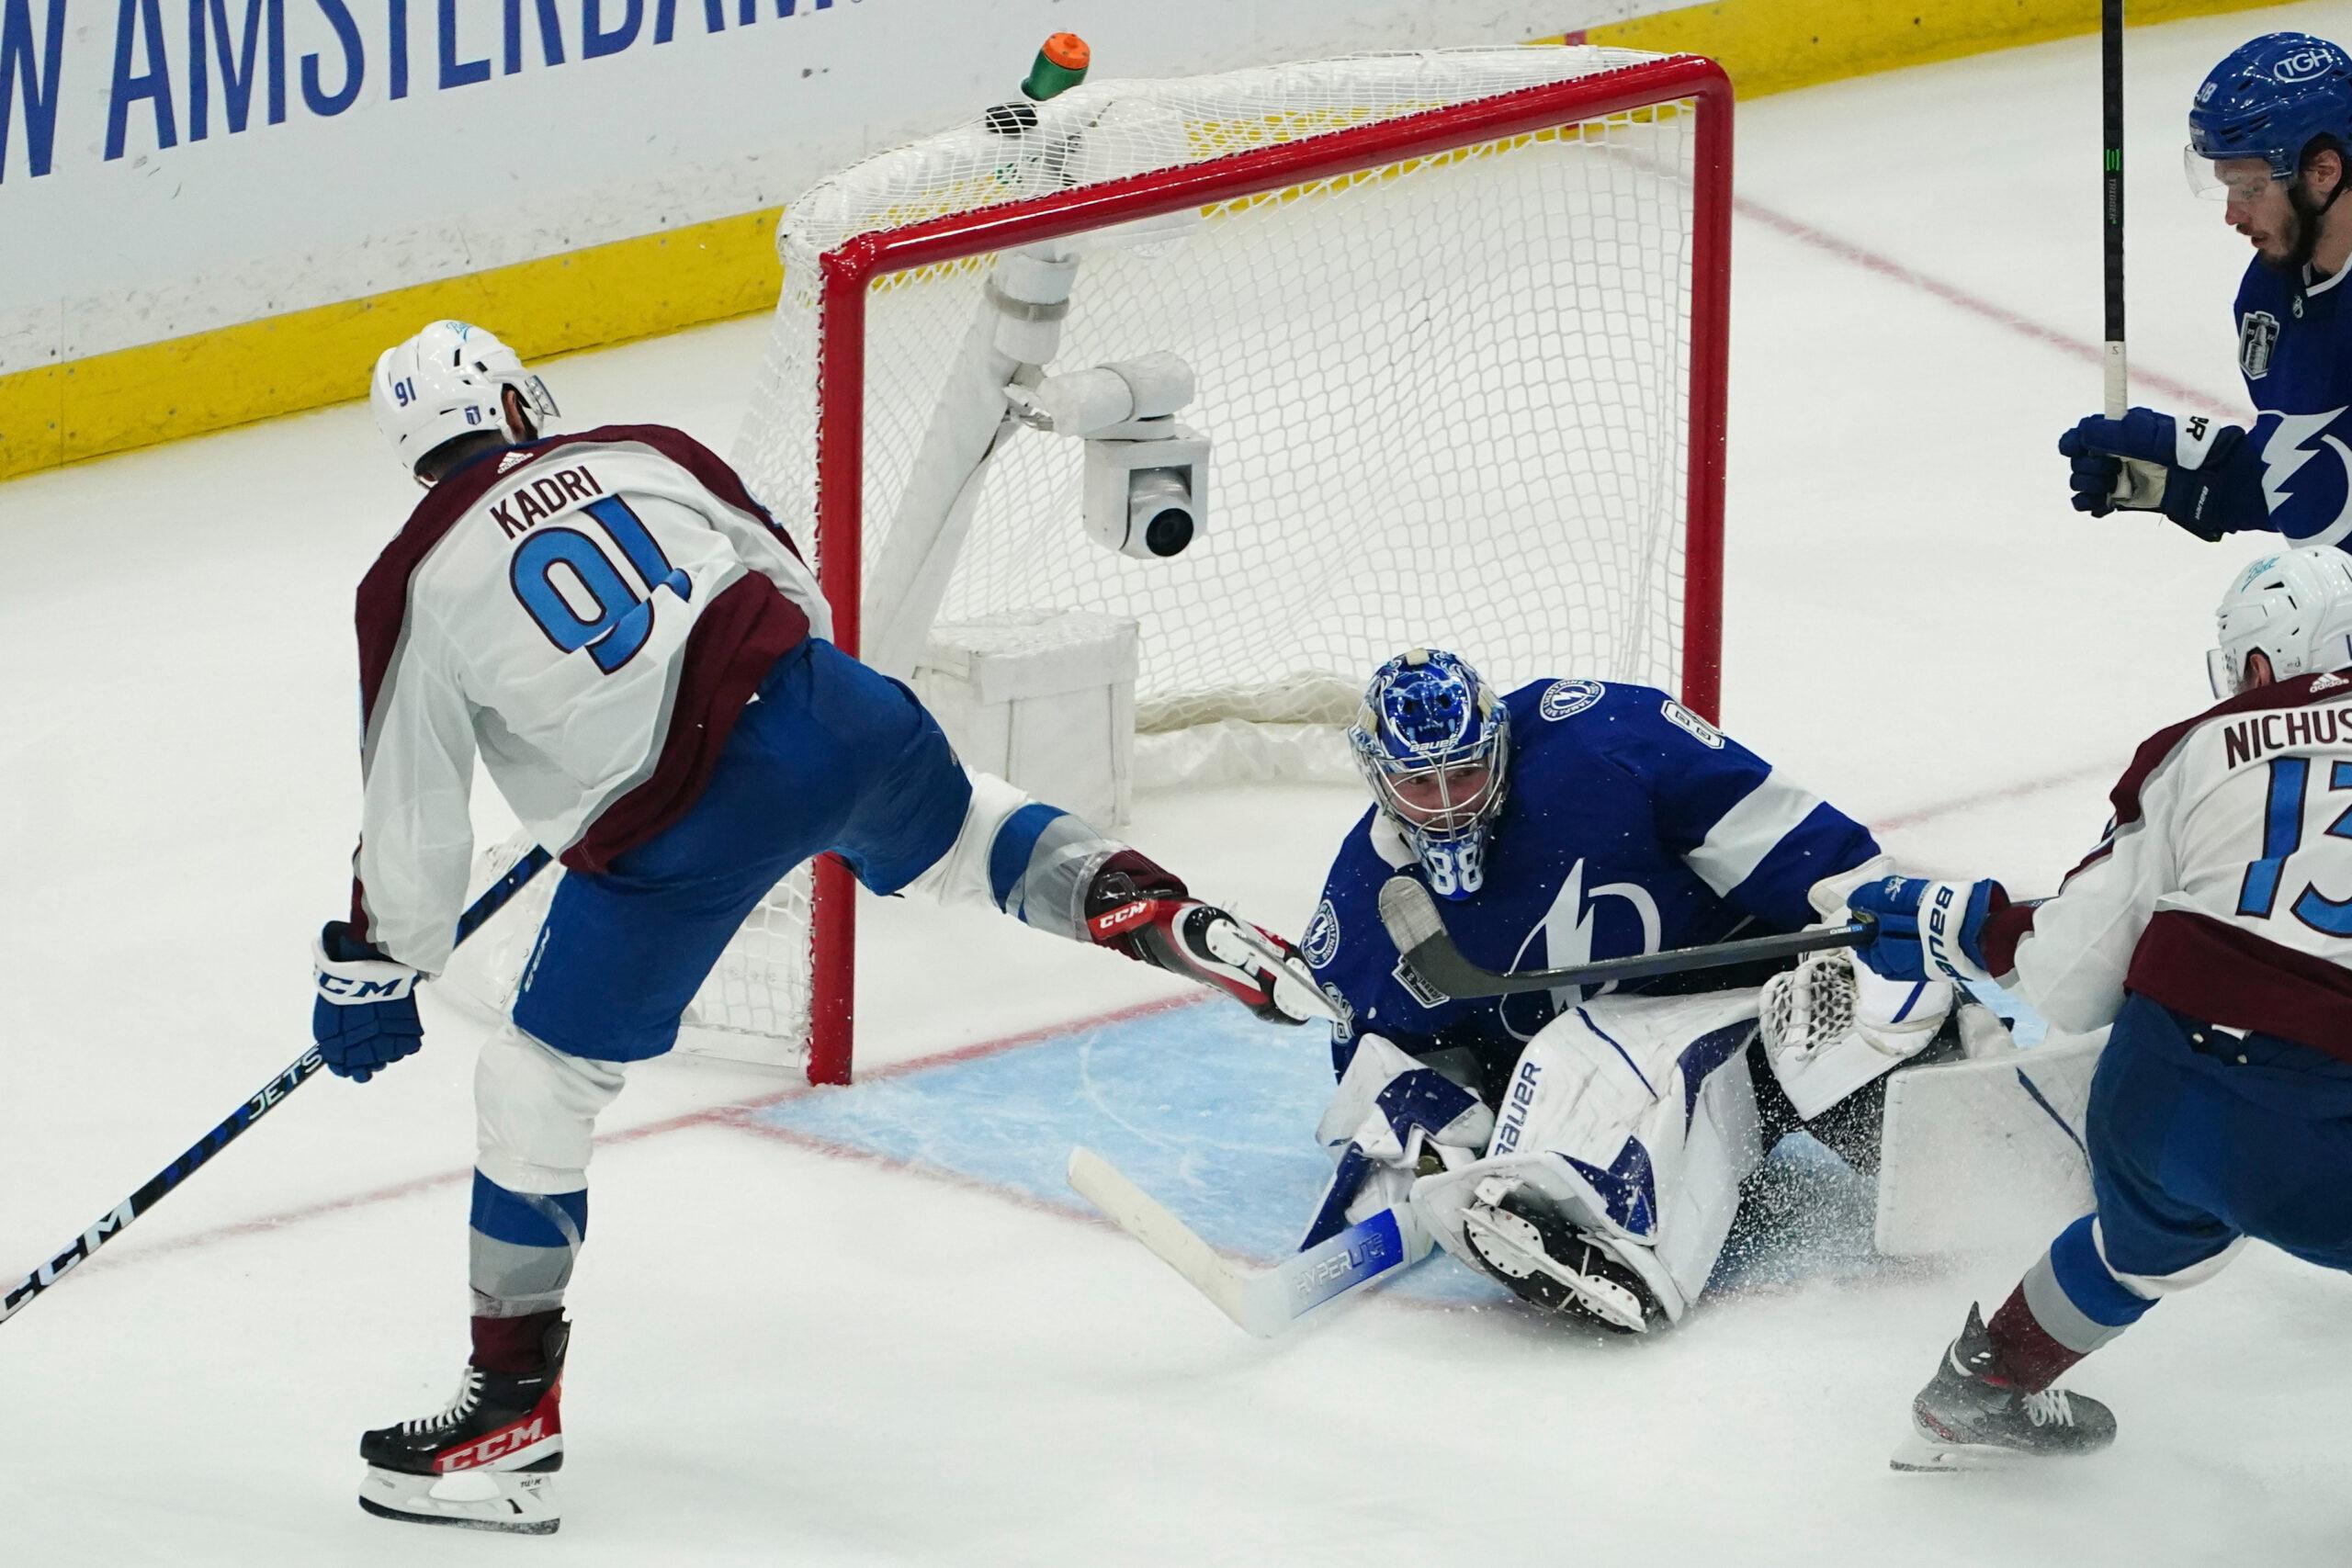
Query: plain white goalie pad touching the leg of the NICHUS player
(1986, 1155)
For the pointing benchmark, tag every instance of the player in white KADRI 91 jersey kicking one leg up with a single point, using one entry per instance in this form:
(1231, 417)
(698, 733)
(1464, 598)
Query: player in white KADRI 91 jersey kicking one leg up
(641, 659)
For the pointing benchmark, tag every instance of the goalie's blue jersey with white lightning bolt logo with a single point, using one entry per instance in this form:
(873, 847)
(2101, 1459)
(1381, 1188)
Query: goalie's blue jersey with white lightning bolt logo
(1631, 826)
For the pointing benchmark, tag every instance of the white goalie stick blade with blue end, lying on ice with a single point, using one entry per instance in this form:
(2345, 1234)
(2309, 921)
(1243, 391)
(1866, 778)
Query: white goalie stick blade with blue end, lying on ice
(1262, 1301)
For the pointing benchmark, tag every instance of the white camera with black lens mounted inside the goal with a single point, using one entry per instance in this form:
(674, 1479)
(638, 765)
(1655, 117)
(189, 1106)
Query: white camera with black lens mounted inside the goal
(1147, 476)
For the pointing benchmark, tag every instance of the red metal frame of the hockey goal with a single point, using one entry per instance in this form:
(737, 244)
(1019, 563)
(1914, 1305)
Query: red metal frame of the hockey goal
(855, 269)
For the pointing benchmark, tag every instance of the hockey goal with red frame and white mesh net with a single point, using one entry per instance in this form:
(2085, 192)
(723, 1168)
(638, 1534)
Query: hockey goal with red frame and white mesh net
(1457, 323)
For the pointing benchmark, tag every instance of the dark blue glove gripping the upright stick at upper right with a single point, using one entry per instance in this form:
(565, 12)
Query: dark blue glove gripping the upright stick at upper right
(2200, 474)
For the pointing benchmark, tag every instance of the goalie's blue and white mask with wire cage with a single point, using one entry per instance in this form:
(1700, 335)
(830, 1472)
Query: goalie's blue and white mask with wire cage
(1434, 742)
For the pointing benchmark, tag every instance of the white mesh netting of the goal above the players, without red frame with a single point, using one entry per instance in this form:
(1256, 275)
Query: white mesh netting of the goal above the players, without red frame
(1448, 396)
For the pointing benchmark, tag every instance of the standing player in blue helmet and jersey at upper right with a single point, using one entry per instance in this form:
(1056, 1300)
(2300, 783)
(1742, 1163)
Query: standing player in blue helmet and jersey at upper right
(2271, 135)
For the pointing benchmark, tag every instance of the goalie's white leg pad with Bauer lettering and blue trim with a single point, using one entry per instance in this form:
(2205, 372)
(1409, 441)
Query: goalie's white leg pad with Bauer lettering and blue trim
(1636, 1118)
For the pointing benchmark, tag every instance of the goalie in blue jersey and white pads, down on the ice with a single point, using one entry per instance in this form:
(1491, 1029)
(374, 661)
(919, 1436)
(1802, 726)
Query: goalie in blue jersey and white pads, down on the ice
(1589, 1151)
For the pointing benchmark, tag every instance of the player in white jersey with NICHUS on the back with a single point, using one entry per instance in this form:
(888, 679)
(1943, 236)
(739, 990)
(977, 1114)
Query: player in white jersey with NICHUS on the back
(2212, 930)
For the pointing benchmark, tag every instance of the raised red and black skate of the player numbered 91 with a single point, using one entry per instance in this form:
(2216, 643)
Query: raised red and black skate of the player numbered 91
(1142, 911)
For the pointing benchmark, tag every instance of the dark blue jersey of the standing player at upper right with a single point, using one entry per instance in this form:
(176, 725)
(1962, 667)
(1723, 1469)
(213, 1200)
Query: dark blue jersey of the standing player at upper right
(2294, 349)
